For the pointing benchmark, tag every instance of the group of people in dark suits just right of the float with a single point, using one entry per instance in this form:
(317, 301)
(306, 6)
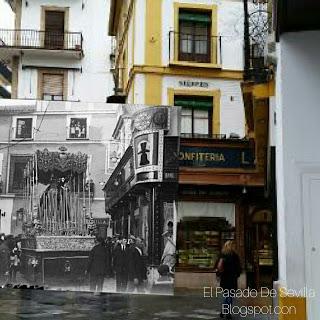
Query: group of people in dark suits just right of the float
(124, 259)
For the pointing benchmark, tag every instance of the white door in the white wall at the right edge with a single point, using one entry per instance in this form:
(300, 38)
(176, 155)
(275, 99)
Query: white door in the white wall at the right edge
(311, 205)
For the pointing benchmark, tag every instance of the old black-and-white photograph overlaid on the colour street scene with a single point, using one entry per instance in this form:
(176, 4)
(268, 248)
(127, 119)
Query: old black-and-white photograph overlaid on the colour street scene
(83, 218)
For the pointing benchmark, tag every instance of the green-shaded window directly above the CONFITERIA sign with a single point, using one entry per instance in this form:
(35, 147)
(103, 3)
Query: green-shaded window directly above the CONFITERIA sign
(196, 115)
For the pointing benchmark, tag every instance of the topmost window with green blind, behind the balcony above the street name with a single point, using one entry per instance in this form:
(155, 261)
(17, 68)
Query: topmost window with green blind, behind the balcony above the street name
(194, 36)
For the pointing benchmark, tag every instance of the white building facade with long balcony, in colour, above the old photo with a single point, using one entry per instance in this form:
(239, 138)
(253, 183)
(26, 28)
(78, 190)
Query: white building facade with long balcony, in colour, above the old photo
(59, 51)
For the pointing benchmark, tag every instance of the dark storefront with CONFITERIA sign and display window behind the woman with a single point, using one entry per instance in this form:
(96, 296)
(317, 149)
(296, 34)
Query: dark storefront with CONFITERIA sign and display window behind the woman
(221, 197)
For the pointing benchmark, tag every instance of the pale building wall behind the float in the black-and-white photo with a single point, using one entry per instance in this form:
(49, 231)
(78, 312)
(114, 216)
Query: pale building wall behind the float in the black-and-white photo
(31, 127)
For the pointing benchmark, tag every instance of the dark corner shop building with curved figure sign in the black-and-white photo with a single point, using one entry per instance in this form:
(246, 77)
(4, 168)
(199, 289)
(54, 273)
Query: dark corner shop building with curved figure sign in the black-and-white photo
(141, 193)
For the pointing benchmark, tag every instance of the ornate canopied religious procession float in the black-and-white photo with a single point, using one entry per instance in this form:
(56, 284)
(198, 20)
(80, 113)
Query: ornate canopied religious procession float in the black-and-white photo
(58, 229)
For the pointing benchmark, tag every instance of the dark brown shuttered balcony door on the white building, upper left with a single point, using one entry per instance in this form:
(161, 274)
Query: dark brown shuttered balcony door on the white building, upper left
(54, 29)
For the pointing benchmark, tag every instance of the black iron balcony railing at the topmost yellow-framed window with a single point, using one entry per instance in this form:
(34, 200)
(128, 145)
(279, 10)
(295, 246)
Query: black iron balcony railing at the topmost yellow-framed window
(184, 47)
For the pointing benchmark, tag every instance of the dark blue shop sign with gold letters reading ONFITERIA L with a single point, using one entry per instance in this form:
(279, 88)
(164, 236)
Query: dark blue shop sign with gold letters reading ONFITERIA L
(215, 157)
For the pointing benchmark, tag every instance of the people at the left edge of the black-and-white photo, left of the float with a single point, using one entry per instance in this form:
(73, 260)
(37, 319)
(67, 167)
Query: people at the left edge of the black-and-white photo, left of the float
(10, 253)
